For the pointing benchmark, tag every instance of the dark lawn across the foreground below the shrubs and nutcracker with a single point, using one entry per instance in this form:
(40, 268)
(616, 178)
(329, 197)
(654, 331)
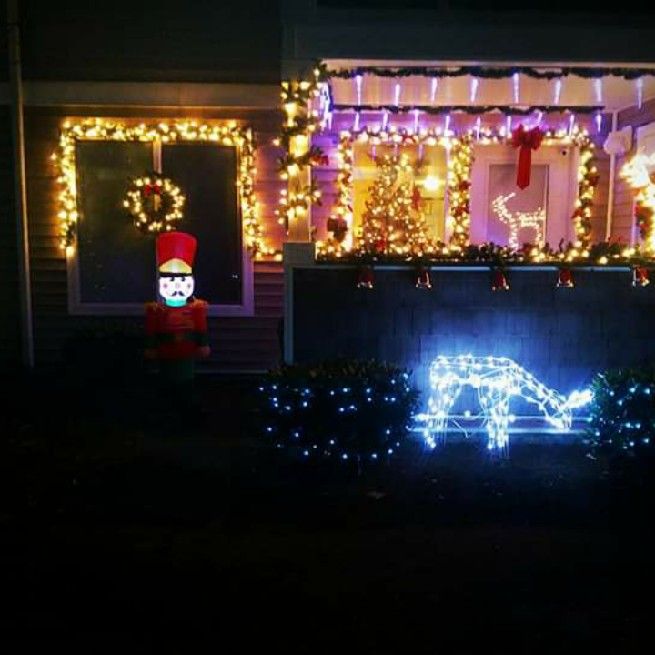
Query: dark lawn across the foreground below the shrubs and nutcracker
(118, 531)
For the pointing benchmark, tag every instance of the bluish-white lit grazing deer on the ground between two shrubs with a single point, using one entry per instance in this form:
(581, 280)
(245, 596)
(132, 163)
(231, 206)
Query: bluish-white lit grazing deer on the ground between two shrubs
(497, 380)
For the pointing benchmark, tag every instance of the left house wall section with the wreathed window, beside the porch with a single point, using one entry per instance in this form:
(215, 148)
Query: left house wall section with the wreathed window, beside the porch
(109, 69)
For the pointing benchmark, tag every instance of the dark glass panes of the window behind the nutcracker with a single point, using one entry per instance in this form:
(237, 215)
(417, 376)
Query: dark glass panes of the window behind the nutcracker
(116, 262)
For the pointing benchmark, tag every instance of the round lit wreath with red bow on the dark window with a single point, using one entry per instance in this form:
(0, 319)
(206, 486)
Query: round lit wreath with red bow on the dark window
(154, 202)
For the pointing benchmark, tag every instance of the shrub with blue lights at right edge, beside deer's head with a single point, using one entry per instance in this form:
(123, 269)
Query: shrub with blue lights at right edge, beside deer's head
(623, 410)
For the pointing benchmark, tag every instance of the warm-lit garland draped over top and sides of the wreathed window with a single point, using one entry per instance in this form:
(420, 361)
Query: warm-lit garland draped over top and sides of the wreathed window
(221, 133)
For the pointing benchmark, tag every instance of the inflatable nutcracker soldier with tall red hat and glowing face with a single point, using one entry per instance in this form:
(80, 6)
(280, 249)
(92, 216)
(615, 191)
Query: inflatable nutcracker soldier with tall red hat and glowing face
(176, 326)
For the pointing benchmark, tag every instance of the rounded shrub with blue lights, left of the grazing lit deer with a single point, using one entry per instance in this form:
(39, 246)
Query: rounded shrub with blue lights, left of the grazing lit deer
(345, 408)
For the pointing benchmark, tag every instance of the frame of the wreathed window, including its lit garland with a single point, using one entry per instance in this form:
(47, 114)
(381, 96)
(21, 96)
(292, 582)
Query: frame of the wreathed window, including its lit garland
(170, 132)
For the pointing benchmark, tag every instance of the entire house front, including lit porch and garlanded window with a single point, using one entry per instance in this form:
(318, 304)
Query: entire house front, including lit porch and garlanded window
(112, 91)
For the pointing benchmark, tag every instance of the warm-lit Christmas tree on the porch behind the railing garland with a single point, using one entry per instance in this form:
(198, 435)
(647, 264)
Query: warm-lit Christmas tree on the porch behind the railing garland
(393, 222)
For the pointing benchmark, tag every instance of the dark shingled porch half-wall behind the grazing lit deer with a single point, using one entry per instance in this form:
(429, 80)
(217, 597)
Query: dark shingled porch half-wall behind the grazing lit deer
(563, 336)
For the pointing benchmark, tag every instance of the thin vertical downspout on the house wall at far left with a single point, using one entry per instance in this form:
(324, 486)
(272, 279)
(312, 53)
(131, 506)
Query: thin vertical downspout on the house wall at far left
(20, 191)
